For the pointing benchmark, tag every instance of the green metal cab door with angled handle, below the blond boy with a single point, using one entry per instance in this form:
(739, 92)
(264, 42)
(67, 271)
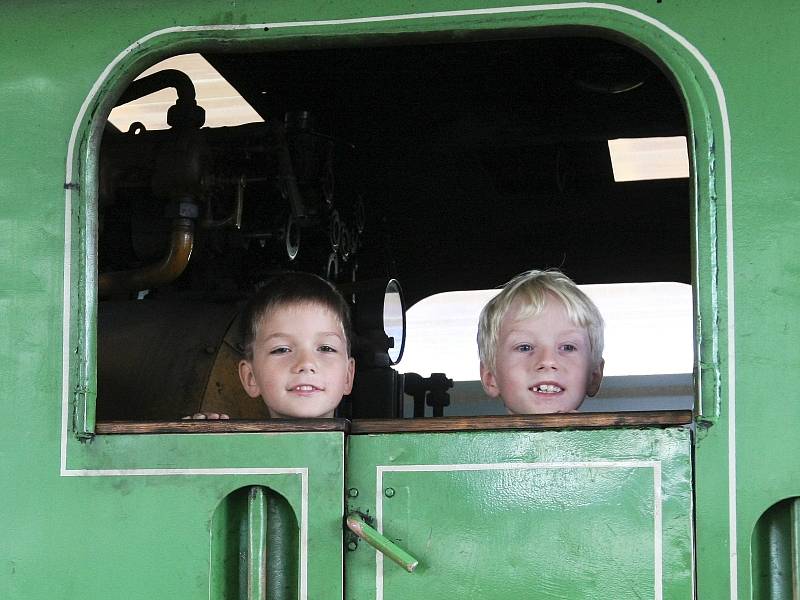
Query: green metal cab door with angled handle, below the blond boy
(524, 514)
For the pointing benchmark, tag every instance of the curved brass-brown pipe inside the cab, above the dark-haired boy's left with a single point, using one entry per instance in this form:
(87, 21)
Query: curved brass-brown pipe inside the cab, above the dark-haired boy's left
(165, 271)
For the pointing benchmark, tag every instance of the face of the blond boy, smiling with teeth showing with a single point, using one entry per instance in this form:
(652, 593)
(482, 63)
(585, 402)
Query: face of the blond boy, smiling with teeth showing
(543, 363)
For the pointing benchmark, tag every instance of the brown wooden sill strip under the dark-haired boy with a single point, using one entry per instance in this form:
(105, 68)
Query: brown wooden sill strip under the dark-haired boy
(224, 426)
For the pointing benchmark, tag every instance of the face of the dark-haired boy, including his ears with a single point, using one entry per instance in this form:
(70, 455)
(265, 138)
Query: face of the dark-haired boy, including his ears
(300, 366)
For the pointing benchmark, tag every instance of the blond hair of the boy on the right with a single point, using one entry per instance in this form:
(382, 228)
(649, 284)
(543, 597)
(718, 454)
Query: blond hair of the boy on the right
(530, 289)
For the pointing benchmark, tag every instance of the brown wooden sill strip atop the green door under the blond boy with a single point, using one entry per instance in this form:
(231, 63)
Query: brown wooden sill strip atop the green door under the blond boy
(501, 422)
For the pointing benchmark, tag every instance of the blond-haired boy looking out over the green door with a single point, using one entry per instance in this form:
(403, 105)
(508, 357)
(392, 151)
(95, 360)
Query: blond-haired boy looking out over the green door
(540, 342)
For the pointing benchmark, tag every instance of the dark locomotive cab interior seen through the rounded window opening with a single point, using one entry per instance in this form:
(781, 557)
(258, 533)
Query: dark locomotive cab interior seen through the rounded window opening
(448, 165)
